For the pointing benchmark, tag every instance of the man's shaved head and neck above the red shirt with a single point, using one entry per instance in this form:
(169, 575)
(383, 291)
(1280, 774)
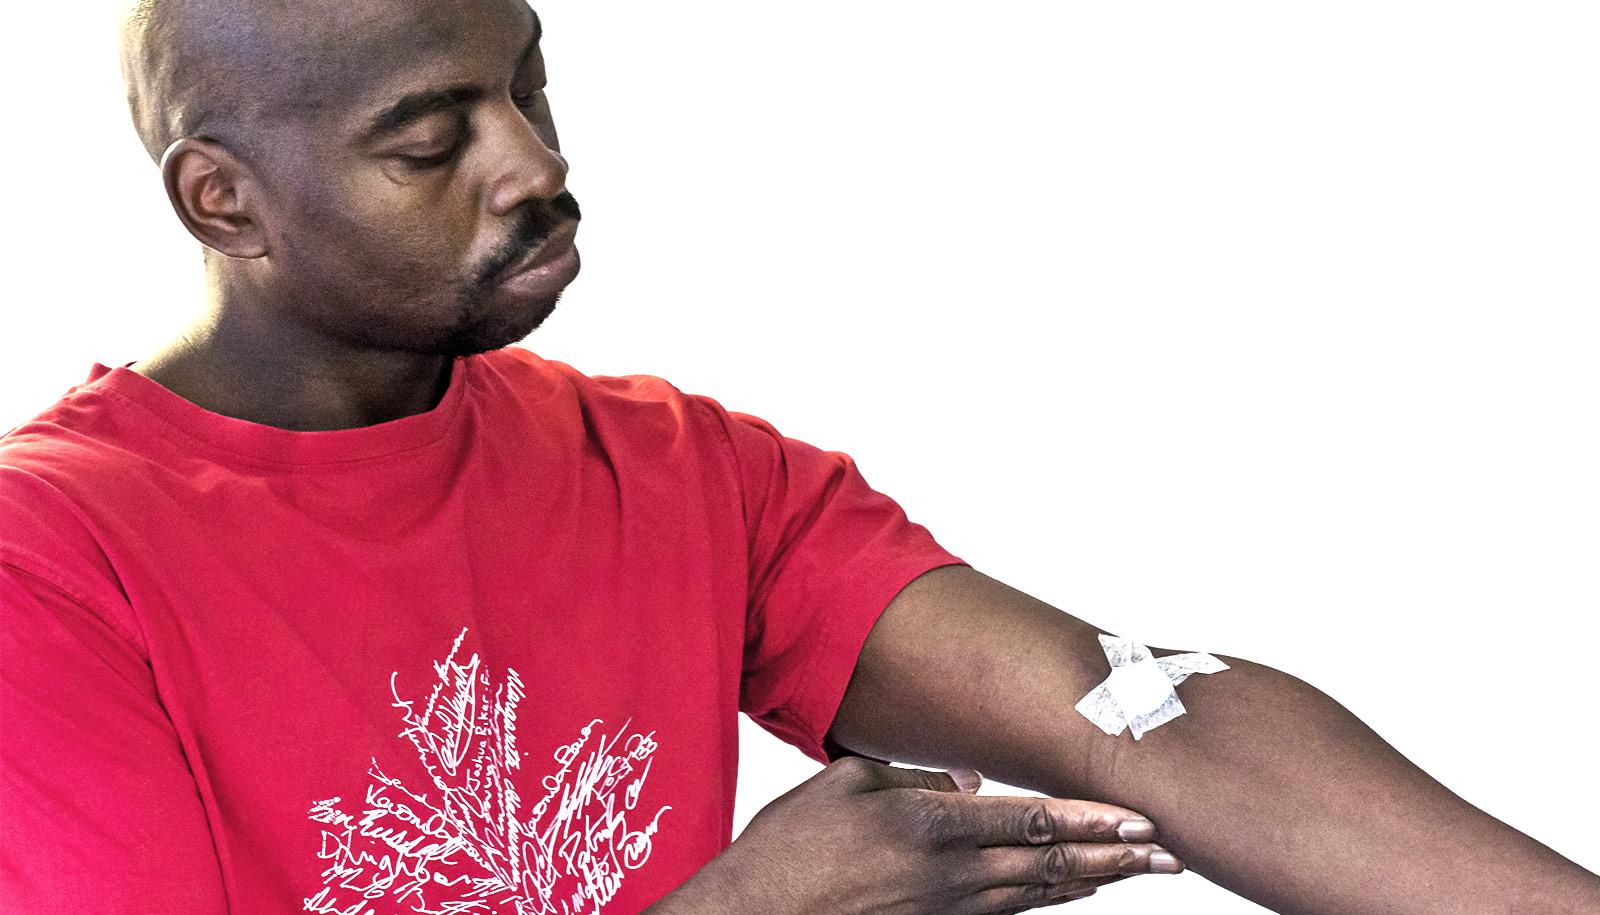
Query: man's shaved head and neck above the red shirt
(345, 268)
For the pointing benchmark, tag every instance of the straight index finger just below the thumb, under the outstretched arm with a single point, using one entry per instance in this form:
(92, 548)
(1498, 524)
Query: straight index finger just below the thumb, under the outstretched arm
(988, 820)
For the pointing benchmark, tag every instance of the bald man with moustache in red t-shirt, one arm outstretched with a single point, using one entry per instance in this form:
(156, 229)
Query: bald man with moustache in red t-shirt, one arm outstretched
(321, 609)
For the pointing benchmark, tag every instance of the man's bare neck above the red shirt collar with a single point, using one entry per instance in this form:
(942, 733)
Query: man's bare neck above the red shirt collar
(278, 374)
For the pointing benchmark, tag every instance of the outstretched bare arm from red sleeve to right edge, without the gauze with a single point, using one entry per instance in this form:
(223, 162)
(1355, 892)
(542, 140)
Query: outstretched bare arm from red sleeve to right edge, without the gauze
(1266, 786)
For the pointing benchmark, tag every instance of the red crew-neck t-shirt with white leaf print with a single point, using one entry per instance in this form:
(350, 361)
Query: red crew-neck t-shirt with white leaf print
(482, 660)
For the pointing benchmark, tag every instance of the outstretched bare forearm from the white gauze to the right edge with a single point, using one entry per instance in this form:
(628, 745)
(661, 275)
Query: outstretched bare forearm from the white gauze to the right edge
(1278, 793)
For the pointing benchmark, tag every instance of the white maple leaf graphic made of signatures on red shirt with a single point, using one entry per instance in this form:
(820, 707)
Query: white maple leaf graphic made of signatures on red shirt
(465, 849)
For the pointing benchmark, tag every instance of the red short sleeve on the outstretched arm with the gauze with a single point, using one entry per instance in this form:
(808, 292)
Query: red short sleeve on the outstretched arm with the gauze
(828, 554)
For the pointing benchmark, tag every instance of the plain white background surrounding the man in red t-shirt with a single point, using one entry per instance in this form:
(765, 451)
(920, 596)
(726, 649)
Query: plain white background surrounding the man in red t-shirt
(1260, 329)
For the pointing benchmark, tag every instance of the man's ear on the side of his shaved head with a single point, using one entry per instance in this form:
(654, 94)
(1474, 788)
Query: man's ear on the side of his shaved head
(212, 191)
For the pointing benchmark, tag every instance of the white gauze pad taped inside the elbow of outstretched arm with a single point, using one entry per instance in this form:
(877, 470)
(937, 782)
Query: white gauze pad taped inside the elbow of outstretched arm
(1140, 692)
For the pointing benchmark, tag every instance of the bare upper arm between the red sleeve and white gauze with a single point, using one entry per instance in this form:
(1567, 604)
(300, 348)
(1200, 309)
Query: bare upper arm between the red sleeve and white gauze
(966, 671)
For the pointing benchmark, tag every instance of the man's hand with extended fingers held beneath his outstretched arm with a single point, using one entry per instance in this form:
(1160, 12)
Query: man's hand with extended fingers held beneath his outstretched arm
(862, 837)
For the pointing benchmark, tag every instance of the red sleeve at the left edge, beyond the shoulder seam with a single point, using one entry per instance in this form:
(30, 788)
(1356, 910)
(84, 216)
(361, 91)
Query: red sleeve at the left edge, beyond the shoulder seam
(100, 809)
